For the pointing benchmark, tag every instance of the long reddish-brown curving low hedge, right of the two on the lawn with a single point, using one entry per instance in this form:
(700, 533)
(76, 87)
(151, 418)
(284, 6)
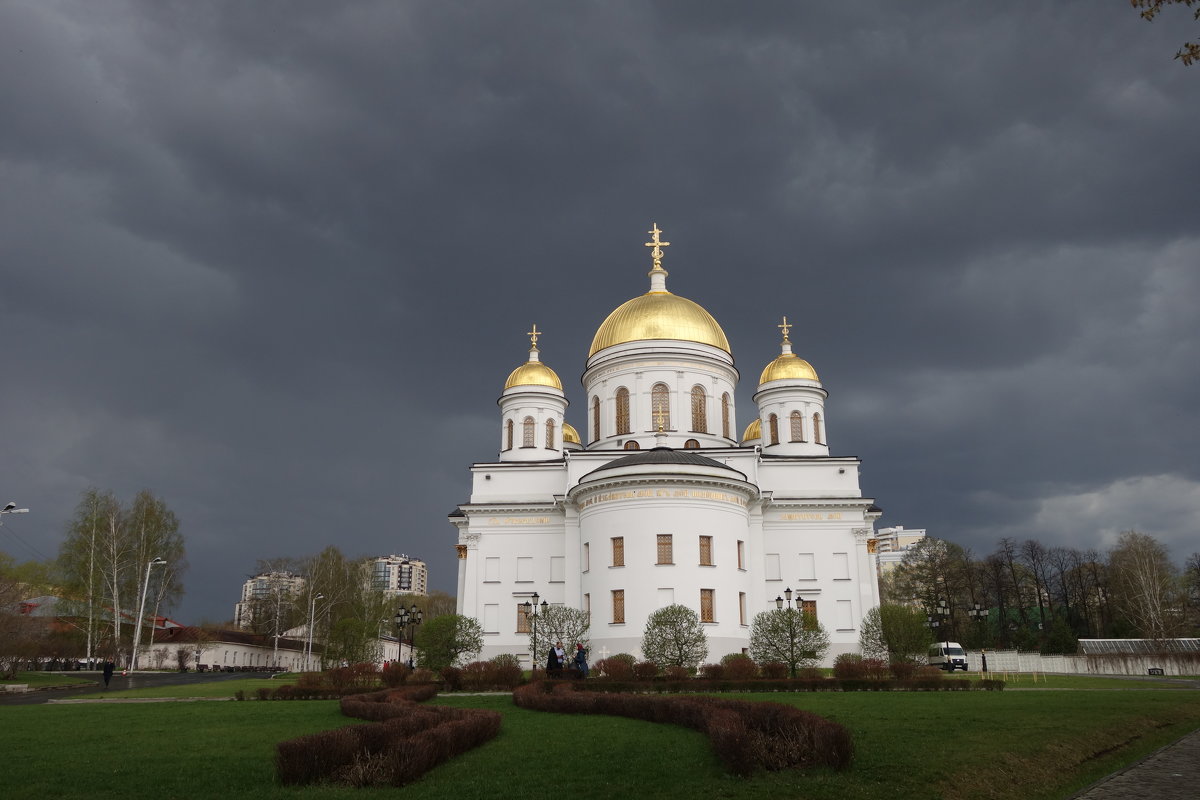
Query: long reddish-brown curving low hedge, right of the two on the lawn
(745, 736)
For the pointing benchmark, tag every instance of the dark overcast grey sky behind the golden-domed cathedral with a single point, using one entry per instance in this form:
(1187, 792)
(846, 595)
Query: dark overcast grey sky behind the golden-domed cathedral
(274, 261)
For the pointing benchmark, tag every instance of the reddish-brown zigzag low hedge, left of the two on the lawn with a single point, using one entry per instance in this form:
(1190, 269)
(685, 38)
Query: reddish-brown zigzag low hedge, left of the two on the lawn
(406, 742)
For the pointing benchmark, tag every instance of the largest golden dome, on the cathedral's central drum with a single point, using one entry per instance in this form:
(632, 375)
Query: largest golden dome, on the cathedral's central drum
(659, 316)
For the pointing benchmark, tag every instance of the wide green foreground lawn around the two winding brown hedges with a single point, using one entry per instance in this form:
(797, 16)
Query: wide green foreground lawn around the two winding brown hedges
(909, 745)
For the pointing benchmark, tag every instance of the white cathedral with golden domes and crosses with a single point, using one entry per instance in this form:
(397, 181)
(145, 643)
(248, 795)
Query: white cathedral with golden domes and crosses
(664, 504)
